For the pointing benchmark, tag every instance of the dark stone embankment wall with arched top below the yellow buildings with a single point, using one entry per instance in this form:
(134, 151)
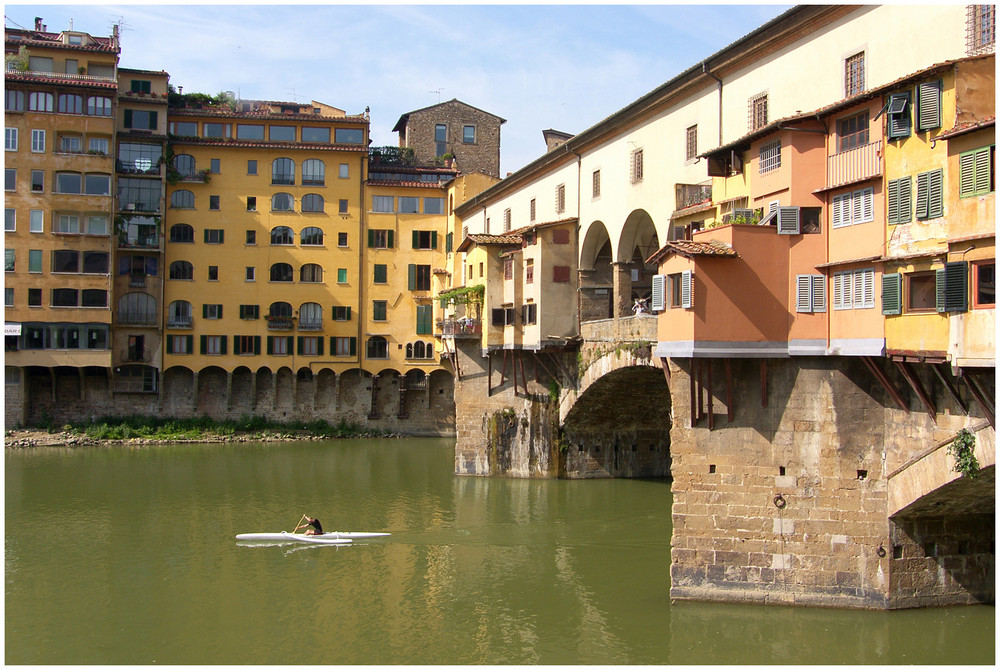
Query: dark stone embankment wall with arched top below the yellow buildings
(428, 410)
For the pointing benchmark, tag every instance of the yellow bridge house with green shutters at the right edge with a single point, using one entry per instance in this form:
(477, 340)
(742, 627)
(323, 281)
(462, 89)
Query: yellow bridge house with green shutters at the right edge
(939, 135)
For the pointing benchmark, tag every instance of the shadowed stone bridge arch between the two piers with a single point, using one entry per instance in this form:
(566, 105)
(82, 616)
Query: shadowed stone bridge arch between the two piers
(616, 423)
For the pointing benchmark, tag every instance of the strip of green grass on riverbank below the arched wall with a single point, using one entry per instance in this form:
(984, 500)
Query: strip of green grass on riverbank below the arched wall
(155, 428)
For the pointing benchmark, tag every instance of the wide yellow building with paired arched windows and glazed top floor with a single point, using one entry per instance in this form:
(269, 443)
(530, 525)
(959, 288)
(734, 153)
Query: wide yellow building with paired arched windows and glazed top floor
(264, 237)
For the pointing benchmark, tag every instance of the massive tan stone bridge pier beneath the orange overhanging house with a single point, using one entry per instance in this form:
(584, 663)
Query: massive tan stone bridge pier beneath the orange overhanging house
(788, 502)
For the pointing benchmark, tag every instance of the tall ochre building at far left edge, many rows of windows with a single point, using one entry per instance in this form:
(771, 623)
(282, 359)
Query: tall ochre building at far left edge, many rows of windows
(59, 136)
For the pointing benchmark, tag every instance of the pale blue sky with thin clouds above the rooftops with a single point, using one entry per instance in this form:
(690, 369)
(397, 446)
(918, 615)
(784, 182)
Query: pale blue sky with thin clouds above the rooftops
(538, 66)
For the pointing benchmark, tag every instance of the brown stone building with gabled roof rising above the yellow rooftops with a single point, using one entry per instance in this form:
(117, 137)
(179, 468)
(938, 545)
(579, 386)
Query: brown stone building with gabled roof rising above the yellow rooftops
(470, 135)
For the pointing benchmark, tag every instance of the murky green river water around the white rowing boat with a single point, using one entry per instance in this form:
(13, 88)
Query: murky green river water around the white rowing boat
(126, 555)
